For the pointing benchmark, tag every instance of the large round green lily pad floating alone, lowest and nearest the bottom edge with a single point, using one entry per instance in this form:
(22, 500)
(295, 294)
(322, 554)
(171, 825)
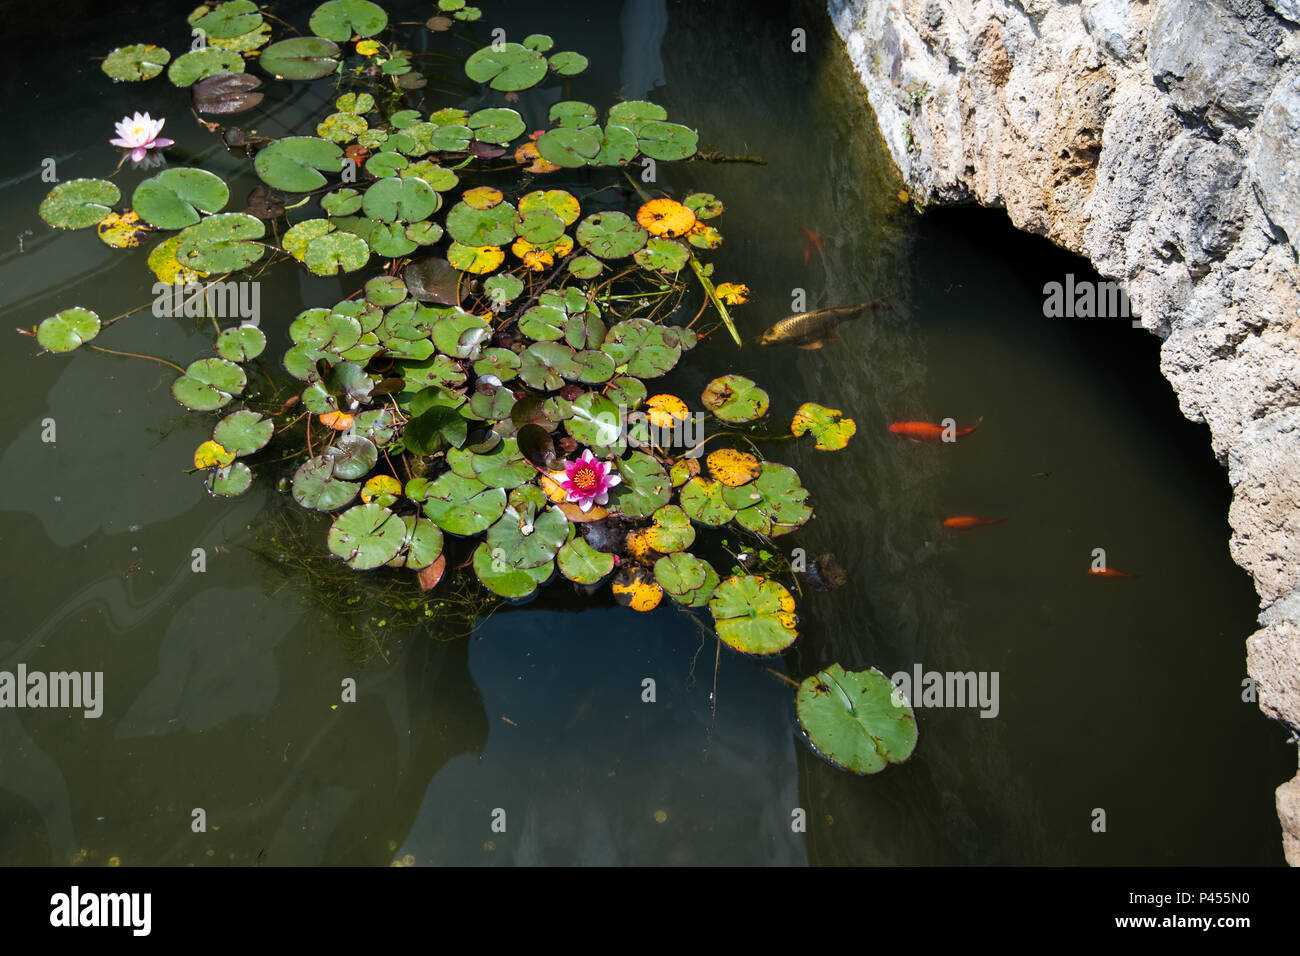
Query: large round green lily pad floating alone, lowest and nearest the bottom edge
(856, 721)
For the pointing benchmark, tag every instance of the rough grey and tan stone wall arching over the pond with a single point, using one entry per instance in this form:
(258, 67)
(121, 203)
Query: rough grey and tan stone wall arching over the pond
(1158, 139)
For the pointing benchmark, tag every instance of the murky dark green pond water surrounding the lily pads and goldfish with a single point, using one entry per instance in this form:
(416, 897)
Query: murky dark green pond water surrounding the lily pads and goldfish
(223, 689)
